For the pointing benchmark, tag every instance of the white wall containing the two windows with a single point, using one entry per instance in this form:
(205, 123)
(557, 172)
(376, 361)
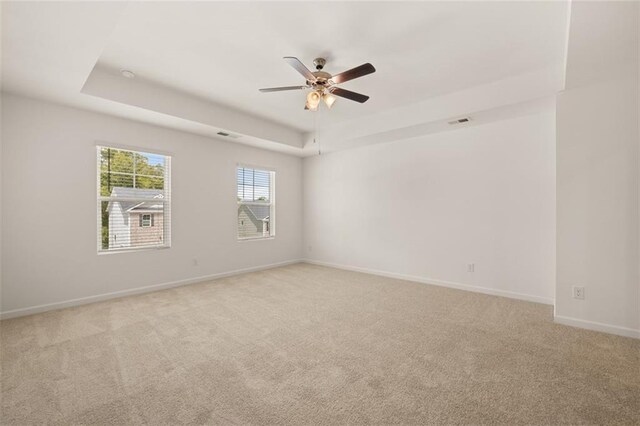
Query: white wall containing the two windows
(49, 176)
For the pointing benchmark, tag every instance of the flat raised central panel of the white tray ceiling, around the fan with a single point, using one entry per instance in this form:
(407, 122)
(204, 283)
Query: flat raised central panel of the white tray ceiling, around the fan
(224, 52)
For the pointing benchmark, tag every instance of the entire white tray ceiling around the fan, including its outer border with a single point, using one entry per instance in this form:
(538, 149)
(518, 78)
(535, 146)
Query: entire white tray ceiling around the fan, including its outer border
(223, 52)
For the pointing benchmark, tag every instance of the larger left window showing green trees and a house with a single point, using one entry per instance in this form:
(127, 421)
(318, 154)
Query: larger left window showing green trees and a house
(134, 202)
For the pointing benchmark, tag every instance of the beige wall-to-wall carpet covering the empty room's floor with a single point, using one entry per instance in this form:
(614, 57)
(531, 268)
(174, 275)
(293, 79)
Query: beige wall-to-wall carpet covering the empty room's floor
(306, 344)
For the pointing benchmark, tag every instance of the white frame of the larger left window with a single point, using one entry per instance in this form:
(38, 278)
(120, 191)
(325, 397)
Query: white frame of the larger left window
(166, 200)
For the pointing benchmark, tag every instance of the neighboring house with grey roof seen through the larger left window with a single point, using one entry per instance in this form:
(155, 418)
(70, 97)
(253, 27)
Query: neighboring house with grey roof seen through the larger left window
(136, 223)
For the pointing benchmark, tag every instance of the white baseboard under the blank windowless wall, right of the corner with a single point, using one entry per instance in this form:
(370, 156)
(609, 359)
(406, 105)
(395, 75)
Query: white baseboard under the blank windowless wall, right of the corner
(440, 283)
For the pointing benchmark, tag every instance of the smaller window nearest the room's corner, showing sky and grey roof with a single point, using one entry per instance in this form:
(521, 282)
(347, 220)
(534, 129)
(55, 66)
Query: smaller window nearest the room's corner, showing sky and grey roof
(256, 204)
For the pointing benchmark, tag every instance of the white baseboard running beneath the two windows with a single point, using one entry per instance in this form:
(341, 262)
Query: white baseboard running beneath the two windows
(139, 290)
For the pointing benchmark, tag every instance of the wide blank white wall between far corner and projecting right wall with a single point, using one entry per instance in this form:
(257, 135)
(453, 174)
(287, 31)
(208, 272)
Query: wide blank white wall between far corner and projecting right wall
(427, 207)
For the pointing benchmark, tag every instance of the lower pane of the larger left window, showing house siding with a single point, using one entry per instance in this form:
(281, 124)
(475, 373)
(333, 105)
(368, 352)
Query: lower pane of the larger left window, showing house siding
(120, 224)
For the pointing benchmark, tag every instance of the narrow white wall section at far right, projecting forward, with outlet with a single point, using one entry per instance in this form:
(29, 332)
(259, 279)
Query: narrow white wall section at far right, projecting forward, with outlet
(598, 173)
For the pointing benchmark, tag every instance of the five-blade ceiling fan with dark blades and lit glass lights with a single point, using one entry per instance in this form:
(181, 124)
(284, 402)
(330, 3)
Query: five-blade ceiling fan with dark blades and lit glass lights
(323, 85)
